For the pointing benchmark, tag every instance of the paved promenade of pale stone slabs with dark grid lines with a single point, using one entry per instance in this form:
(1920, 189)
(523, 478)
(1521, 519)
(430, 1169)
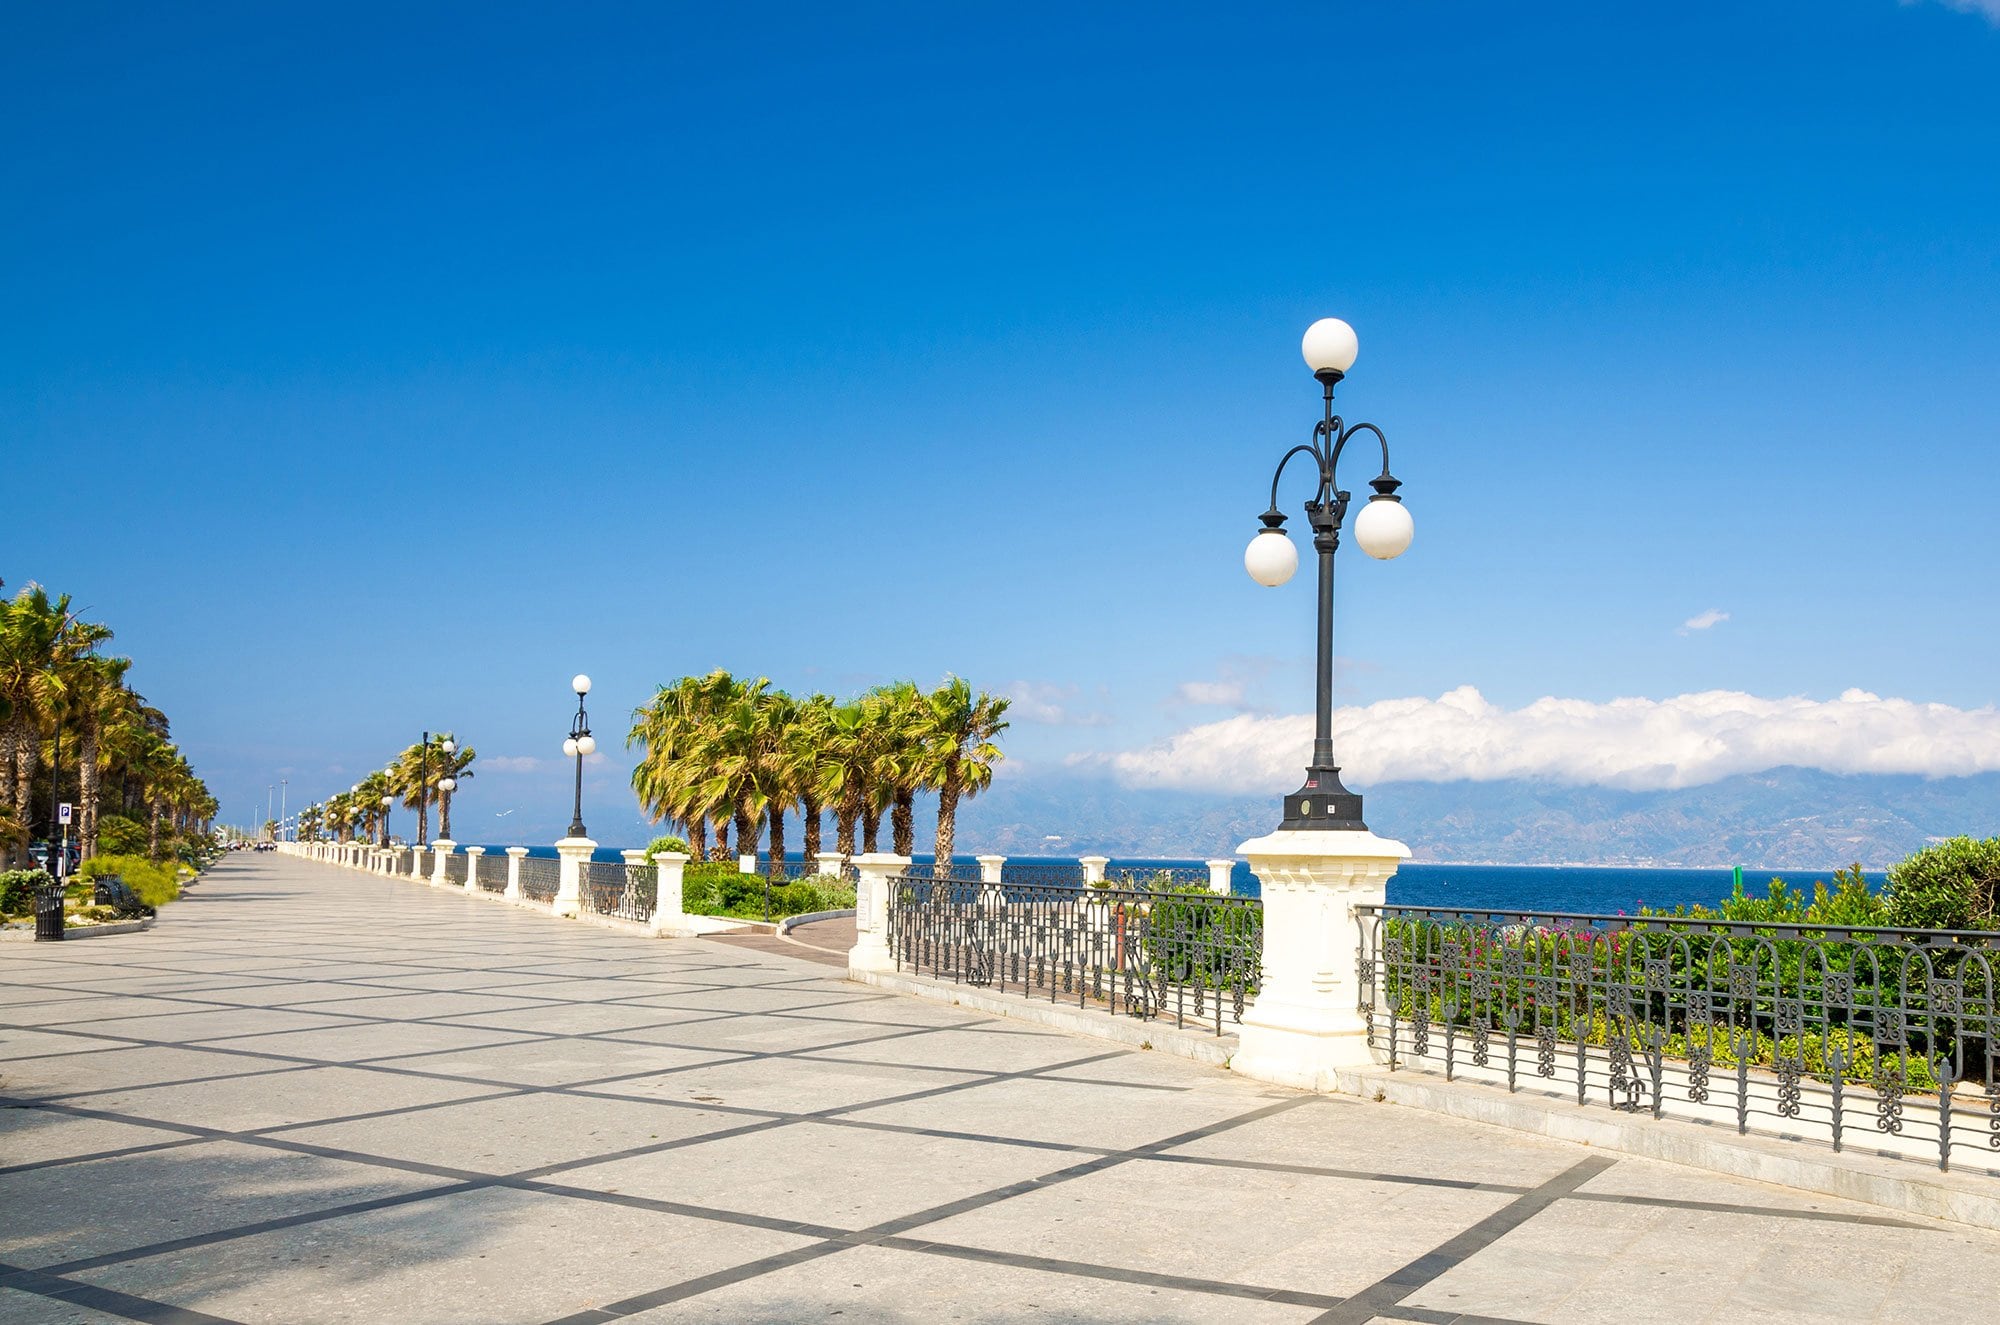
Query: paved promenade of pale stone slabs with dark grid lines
(315, 1096)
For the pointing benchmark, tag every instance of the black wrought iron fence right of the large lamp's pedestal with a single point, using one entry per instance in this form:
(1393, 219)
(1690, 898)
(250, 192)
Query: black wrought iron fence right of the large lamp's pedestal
(1879, 1036)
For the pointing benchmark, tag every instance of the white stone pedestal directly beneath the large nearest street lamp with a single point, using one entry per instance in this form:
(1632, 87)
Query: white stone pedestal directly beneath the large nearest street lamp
(1305, 1022)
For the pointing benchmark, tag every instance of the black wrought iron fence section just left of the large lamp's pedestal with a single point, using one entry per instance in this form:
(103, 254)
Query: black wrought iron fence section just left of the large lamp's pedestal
(1149, 954)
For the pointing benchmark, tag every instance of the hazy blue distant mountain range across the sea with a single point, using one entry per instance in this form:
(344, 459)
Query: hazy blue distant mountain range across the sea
(1785, 820)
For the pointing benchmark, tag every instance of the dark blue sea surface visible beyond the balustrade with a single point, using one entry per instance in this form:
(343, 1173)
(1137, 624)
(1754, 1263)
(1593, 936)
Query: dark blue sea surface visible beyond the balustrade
(1593, 890)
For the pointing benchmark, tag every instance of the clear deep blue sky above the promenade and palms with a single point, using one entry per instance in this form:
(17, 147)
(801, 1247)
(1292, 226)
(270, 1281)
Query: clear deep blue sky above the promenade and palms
(401, 361)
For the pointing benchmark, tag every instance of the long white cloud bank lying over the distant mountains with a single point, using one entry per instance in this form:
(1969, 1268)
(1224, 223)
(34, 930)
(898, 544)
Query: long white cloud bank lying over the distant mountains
(1631, 744)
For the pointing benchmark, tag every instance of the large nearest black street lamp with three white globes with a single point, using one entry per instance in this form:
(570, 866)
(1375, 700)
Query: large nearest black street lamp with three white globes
(1383, 529)
